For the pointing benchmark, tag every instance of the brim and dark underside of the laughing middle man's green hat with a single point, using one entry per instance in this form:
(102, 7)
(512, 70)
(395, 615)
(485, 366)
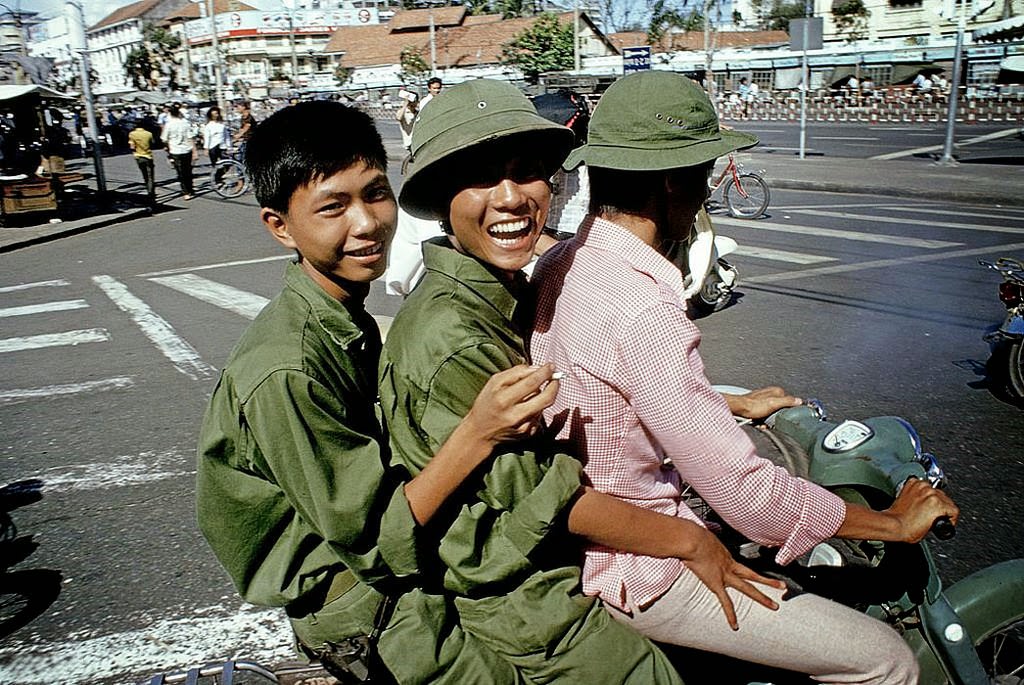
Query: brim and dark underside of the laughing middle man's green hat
(428, 191)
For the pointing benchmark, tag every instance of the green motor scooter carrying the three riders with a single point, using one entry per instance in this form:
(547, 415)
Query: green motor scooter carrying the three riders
(968, 634)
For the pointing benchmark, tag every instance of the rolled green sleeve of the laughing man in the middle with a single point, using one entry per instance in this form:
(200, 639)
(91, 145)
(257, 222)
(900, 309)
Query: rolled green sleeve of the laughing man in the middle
(523, 495)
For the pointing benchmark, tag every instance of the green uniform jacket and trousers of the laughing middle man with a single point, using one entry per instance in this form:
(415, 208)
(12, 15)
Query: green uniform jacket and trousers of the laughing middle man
(504, 547)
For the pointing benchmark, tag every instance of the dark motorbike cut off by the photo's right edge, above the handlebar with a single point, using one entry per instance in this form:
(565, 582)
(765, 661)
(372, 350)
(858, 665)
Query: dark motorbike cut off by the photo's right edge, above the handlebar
(1007, 341)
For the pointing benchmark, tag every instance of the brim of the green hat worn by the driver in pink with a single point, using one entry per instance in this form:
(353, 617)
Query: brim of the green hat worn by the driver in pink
(636, 159)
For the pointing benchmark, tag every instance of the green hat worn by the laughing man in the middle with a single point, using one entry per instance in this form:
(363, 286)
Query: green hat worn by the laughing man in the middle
(461, 118)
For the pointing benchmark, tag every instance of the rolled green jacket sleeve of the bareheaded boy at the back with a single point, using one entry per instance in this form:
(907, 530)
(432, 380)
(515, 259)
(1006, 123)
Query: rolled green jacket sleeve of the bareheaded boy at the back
(333, 476)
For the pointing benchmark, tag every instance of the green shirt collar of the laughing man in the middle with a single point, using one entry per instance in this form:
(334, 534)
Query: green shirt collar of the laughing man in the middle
(440, 255)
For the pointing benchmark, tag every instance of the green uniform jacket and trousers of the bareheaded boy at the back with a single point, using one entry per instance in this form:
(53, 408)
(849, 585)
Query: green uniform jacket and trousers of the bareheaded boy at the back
(296, 500)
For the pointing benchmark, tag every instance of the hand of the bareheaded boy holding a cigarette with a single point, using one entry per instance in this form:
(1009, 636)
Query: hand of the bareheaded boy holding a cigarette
(509, 406)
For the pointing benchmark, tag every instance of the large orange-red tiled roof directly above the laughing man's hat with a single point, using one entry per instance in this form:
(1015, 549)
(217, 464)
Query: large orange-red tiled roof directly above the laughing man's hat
(478, 41)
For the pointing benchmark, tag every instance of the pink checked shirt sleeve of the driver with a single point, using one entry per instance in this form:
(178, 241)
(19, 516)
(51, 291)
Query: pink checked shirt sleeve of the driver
(692, 423)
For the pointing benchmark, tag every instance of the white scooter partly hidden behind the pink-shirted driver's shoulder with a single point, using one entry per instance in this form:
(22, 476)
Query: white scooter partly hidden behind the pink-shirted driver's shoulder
(709, 279)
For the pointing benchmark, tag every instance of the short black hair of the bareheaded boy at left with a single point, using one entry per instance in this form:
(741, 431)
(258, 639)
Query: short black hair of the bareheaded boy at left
(306, 142)
